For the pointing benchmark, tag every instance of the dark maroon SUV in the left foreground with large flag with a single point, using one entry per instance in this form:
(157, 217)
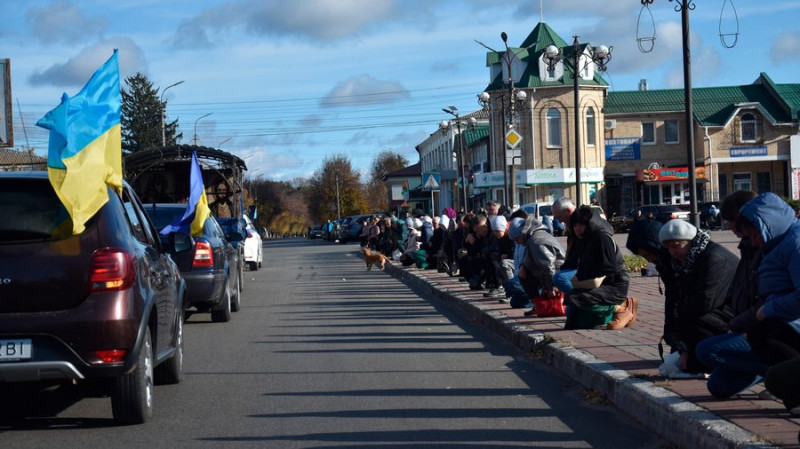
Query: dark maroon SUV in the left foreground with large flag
(101, 307)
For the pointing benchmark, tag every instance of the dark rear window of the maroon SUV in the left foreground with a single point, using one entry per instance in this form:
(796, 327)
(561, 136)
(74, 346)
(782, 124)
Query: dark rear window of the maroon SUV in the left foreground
(32, 211)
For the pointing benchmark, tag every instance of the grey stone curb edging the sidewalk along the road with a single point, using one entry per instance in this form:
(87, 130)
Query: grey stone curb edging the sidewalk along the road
(669, 415)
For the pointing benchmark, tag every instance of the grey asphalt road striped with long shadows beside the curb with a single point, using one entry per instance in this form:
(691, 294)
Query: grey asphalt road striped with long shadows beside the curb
(326, 354)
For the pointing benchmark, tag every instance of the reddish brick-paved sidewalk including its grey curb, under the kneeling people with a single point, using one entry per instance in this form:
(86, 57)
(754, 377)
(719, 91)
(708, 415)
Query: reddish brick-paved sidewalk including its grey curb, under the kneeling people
(623, 366)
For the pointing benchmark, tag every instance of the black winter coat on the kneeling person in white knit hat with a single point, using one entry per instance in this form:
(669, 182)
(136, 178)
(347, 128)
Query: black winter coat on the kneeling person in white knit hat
(696, 300)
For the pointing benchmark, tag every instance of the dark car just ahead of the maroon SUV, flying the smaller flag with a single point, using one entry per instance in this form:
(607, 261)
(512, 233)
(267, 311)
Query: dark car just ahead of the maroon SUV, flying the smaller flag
(211, 269)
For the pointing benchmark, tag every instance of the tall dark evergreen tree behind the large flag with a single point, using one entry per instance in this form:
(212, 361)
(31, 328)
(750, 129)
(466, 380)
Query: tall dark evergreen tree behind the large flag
(141, 117)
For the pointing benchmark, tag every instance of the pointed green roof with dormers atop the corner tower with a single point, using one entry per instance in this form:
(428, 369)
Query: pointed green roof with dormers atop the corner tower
(530, 52)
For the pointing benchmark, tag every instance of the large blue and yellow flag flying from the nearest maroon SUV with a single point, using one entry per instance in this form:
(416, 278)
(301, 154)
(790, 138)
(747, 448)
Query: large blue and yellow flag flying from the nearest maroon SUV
(85, 149)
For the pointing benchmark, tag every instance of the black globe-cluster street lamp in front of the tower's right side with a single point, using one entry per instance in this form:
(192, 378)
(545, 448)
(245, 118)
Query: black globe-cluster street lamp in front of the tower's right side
(599, 55)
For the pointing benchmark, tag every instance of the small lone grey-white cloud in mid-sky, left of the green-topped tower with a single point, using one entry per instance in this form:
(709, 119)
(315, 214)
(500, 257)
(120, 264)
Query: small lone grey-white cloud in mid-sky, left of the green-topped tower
(362, 90)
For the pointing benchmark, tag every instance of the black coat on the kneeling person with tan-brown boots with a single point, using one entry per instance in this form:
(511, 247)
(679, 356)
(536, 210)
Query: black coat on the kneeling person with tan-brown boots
(600, 256)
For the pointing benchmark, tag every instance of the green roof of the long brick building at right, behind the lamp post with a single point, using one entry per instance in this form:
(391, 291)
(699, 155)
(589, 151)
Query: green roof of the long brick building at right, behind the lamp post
(712, 106)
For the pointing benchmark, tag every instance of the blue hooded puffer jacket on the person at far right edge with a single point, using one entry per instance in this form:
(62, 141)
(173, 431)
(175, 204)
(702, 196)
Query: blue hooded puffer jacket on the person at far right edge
(779, 271)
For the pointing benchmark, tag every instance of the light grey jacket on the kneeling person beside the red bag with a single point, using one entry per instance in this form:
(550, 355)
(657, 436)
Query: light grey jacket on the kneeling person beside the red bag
(543, 254)
